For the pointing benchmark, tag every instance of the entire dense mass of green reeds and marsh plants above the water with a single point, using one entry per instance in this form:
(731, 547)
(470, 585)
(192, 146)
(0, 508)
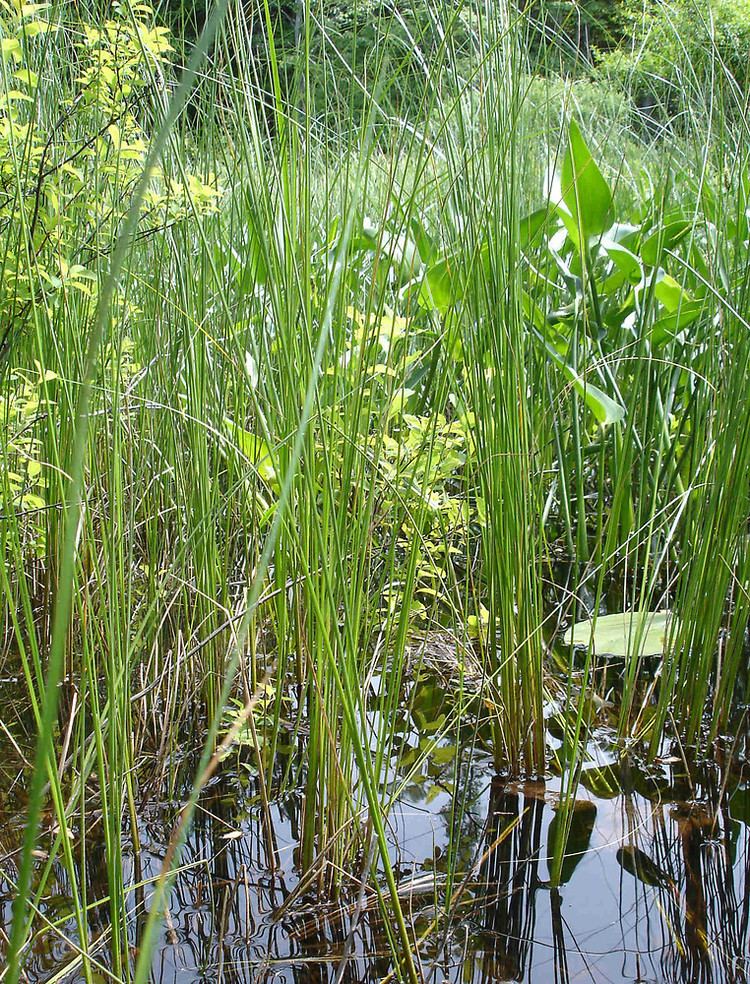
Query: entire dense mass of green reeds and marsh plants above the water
(362, 345)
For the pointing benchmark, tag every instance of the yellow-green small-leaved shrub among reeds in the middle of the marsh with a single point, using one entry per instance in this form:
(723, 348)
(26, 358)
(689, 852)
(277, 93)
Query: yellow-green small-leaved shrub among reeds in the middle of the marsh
(419, 451)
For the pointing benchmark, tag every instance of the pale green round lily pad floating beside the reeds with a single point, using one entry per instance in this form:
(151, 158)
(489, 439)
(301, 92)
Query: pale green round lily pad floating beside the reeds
(623, 633)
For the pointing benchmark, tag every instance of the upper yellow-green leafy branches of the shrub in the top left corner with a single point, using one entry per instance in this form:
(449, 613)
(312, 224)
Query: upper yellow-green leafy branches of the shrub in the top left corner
(66, 183)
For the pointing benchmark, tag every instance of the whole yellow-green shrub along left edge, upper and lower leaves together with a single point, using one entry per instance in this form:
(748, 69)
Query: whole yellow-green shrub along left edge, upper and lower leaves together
(66, 180)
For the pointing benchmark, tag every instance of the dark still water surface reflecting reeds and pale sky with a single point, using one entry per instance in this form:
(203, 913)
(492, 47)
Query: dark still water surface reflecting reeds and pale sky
(654, 886)
